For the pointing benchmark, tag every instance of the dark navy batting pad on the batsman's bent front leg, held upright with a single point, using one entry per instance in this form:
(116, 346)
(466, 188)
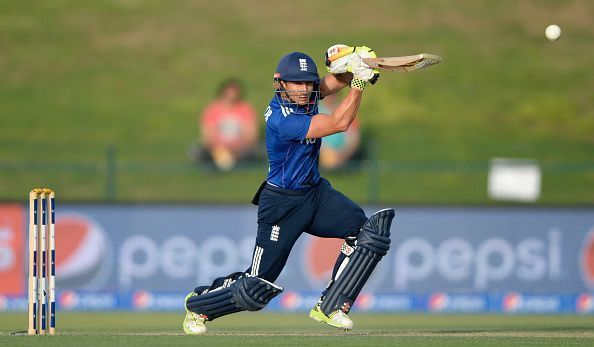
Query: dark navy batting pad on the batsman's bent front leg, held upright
(373, 242)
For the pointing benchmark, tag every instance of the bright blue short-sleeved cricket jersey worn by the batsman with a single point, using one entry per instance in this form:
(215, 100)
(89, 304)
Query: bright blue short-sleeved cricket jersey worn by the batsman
(293, 159)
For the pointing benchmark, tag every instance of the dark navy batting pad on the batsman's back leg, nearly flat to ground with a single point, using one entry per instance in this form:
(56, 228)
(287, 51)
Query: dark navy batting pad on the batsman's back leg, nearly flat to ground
(246, 294)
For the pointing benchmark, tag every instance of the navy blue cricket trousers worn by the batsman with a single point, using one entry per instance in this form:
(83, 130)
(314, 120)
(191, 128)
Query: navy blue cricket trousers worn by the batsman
(283, 215)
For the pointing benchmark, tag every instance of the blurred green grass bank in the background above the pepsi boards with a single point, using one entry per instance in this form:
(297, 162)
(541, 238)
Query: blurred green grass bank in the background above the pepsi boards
(80, 77)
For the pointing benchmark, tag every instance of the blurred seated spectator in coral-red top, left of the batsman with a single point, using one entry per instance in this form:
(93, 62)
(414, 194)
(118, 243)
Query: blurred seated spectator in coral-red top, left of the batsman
(228, 128)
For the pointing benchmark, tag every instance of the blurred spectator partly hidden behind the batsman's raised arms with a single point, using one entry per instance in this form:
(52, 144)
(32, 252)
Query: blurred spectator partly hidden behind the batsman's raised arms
(338, 148)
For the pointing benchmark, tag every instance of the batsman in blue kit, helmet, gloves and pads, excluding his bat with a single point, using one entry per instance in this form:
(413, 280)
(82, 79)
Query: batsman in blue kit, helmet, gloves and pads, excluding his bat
(294, 199)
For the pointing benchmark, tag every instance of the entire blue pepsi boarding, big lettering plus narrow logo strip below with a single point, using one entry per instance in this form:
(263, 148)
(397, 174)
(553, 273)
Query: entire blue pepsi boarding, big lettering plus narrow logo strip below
(442, 259)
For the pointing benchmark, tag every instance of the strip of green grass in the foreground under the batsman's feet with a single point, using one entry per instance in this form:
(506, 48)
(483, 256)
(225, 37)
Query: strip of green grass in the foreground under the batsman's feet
(268, 329)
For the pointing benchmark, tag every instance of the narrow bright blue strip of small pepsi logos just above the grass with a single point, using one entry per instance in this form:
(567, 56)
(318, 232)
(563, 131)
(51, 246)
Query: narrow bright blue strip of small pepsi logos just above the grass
(294, 301)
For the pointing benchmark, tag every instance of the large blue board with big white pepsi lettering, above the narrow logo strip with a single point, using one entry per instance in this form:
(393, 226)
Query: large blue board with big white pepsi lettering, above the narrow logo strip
(471, 251)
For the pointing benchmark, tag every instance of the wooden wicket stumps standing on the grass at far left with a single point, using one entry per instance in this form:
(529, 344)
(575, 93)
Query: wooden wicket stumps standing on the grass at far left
(42, 252)
